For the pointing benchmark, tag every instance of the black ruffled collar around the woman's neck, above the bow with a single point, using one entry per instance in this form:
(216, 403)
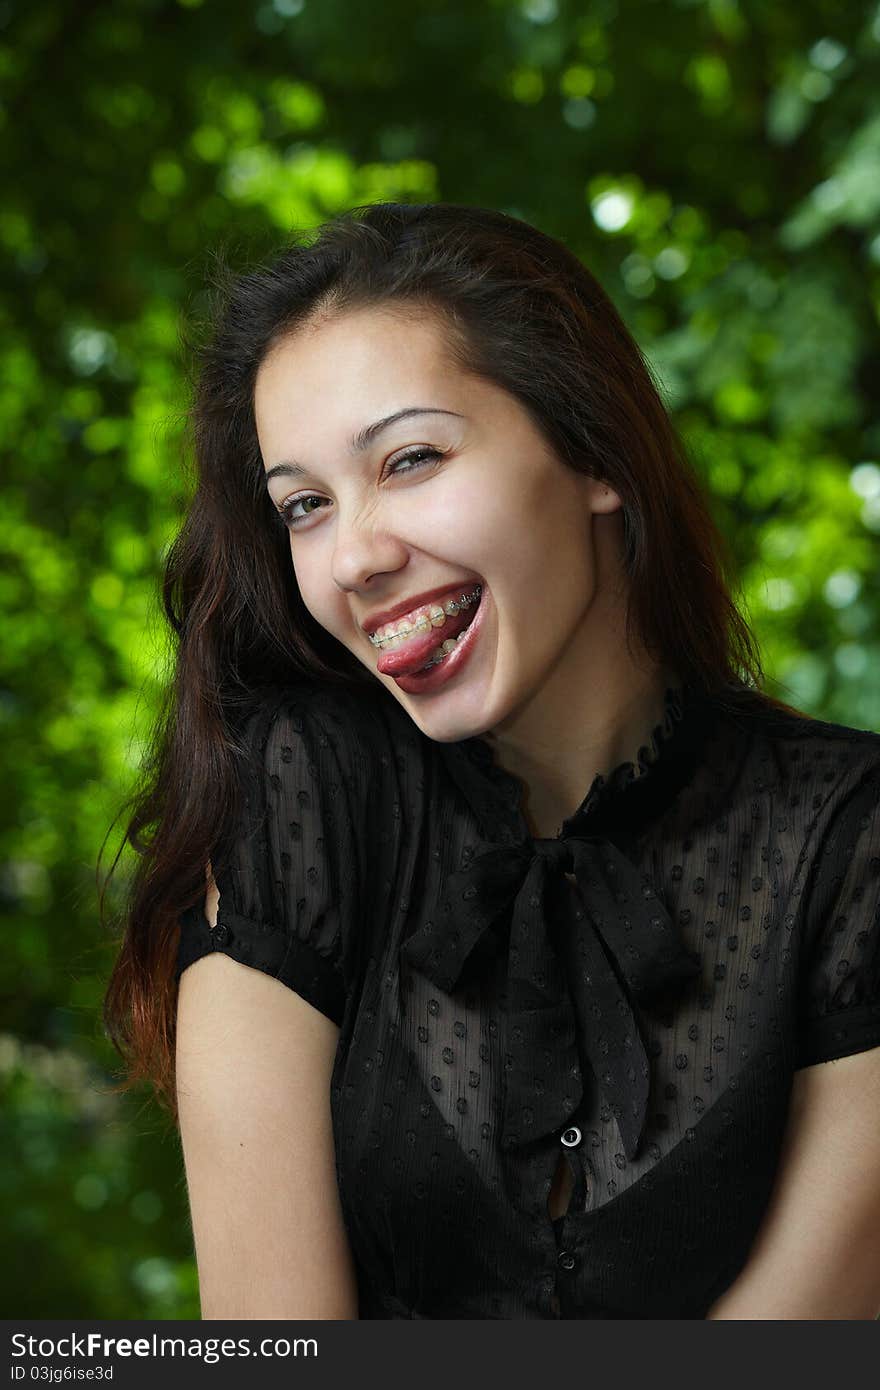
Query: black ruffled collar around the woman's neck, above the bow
(625, 801)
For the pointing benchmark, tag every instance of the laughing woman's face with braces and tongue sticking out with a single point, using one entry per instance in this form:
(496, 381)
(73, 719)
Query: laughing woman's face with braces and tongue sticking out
(451, 489)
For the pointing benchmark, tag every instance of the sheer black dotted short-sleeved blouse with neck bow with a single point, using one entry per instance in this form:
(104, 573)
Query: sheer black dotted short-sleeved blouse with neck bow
(629, 1000)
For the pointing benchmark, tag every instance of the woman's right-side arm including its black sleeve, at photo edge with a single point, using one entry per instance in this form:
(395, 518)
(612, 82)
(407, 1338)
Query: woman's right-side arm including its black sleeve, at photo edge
(818, 1249)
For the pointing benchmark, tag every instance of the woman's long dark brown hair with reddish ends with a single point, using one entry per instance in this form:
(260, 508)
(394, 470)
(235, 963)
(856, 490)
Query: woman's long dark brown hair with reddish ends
(518, 309)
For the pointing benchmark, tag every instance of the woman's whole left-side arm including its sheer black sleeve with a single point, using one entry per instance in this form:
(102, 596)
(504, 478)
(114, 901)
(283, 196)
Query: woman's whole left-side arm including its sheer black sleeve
(266, 974)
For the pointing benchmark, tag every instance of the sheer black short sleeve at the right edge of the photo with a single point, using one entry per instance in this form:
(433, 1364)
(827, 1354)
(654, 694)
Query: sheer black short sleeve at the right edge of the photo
(840, 975)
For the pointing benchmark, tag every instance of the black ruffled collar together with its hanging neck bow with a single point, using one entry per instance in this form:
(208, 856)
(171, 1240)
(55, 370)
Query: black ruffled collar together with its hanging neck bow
(580, 968)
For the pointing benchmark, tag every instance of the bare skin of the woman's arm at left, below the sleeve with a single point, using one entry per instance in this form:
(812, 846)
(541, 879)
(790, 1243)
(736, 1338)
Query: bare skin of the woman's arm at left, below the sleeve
(254, 1068)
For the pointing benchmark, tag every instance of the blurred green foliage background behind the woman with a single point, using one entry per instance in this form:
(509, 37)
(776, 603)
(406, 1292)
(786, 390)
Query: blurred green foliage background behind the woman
(717, 163)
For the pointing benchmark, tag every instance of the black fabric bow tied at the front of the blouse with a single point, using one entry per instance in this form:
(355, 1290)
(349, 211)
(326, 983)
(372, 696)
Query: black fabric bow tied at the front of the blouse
(573, 972)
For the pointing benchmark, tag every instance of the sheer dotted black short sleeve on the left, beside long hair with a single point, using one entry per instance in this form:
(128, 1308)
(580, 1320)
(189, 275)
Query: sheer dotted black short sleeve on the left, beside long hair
(288, 883)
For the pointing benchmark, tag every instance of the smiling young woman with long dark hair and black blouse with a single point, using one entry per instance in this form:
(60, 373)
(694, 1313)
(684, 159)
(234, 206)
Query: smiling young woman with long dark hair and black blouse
(529, 956)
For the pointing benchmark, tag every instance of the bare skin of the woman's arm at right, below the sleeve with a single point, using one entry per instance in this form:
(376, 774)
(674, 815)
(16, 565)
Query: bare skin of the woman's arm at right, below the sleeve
(818, 1250)
